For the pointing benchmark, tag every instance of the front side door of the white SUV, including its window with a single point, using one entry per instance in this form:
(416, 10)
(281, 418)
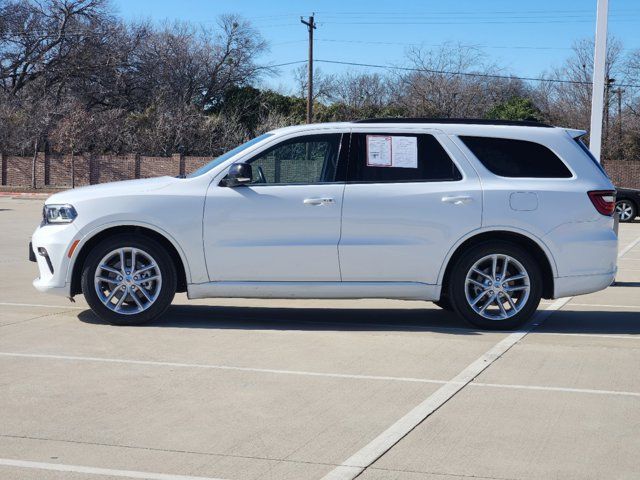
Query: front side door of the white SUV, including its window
(284, 225)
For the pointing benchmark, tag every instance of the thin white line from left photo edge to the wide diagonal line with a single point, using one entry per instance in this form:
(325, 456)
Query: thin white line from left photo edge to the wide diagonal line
(220, 367)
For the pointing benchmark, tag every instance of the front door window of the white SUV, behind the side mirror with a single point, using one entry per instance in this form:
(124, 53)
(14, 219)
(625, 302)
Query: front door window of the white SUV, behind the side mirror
(302, 160)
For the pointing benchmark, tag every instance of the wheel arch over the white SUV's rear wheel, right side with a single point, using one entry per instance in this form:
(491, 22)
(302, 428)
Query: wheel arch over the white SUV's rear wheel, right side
(532, 244)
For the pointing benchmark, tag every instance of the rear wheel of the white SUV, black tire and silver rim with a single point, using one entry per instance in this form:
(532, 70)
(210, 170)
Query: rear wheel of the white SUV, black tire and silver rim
(466, 286)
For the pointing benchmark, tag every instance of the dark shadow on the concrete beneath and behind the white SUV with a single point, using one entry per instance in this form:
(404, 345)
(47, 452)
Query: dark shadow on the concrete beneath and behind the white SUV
(377, 320)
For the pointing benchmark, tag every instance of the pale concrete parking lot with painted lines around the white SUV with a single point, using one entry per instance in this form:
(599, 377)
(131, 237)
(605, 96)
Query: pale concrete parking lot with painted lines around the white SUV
(248, 389)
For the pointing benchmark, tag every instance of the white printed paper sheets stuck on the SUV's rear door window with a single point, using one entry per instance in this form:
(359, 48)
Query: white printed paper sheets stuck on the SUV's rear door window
(391, 151)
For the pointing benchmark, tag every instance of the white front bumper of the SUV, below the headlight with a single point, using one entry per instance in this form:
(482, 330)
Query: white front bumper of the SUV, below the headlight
(49, 247)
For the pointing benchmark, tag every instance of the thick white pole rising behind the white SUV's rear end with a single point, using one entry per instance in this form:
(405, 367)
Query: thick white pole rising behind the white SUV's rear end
(599, 63)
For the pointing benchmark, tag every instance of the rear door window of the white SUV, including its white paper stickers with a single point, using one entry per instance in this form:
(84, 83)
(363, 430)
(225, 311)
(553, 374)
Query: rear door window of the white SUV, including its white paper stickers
(422, 159)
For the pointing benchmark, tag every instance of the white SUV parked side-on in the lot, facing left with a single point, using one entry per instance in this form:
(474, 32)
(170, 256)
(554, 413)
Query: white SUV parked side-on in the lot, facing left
(481, 217)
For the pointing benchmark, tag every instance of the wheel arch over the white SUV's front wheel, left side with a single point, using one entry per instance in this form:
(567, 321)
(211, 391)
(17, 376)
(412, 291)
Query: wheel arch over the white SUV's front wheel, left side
(99, 234)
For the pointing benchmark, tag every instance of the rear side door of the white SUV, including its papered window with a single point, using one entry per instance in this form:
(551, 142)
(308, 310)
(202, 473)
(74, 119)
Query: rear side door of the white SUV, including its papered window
(406, 202)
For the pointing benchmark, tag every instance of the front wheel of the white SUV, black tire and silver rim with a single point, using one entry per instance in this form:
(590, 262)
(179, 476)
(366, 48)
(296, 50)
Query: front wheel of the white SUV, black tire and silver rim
(129, 296)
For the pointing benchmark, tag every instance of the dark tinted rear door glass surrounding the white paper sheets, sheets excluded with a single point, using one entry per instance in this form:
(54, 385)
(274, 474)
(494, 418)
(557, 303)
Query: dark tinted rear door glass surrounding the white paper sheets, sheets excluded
(433, 162)
